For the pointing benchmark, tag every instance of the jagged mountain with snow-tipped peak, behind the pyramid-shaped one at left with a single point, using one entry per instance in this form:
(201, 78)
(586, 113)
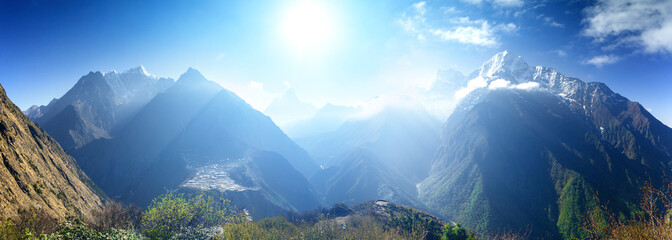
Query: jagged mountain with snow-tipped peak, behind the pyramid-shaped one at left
(97, 105)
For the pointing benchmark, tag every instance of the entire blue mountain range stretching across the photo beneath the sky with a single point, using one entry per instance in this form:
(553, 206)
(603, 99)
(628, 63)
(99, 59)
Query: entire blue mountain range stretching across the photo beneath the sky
(516, 147)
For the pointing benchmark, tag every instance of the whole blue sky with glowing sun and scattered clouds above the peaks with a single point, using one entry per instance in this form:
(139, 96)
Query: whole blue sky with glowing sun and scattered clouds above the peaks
(365, 48)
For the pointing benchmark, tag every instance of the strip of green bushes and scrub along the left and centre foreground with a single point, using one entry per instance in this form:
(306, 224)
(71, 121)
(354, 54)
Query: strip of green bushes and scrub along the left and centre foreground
(209, 216)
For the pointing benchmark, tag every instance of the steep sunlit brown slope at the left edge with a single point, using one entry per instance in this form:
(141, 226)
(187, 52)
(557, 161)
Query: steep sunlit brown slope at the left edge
(36, 172)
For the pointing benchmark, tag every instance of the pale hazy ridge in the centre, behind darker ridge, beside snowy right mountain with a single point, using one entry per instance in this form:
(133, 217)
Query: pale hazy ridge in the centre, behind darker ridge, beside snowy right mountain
(404, 138)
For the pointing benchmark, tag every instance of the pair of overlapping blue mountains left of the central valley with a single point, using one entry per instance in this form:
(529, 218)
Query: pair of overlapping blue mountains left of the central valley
(164, 141)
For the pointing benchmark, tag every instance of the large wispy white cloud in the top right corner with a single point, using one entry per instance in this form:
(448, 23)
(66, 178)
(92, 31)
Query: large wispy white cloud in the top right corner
(646, 23)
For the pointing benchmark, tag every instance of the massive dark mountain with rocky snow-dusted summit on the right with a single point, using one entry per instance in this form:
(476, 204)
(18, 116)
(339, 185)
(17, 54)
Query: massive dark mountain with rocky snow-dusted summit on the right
(534, 150)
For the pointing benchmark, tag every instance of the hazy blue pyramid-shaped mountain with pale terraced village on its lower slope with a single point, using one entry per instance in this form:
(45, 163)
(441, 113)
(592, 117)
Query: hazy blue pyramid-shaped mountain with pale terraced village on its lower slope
(193, 124)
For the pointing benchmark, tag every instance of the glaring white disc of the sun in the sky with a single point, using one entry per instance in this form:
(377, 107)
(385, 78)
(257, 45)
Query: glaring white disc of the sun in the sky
(308, 26)
